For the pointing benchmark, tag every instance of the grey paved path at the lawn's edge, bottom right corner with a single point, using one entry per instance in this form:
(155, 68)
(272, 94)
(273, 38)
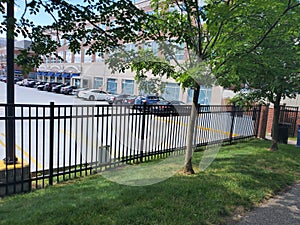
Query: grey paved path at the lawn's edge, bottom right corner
(280, 210)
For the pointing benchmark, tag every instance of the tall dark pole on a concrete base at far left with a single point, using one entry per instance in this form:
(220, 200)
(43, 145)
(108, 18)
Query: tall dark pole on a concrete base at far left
(10, 122)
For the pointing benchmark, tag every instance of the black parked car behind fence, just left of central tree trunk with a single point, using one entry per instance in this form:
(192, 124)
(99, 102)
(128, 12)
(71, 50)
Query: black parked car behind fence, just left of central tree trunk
(165, 108)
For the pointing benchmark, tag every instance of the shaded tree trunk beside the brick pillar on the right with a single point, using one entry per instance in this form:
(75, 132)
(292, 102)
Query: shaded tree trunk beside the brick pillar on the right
(275, 127)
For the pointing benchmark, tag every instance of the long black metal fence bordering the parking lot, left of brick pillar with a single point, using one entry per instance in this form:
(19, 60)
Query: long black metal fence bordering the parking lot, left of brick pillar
(54, 143)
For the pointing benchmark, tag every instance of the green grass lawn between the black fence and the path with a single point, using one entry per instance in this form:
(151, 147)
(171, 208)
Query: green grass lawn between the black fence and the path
(242, 176)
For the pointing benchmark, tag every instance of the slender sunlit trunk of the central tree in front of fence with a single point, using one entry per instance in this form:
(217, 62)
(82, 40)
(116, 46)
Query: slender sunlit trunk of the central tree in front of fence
(188, 167)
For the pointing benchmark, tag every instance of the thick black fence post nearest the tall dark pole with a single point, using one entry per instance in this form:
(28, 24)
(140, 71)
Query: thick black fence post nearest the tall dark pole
(51, 142)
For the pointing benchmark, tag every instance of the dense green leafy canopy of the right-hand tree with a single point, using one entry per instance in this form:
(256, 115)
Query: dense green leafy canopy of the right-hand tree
(259, 47)
